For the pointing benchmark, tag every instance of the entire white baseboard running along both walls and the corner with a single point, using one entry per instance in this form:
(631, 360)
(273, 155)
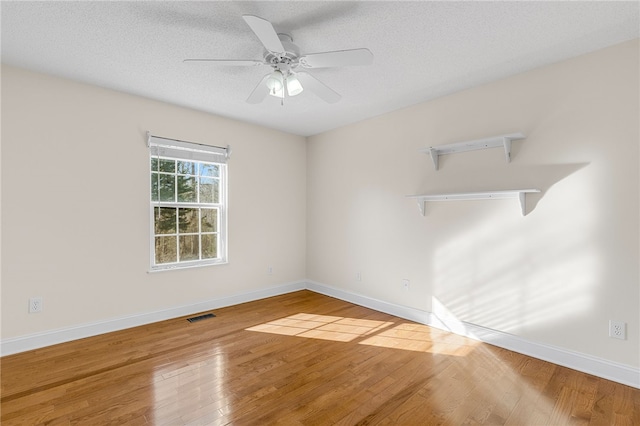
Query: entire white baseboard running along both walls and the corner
(588, 364)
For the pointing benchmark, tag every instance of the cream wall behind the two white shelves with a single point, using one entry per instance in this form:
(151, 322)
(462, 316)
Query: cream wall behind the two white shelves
(555, 276)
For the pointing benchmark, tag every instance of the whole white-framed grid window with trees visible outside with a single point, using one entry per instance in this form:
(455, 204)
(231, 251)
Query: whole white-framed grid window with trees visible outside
(188, 204)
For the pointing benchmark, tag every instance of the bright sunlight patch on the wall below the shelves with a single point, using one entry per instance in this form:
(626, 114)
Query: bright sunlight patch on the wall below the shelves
(512, 273)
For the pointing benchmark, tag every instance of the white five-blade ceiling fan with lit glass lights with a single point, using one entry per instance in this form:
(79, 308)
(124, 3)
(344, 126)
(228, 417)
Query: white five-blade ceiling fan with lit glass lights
(287, 63)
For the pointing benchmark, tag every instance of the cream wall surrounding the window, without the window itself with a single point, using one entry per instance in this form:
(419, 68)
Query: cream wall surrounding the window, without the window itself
(75, 205)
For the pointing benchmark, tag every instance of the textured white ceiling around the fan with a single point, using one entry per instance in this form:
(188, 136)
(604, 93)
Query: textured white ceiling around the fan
(422, 50)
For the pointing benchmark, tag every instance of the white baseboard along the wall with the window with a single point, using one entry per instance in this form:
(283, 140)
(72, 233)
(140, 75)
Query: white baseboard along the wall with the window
(52, 337)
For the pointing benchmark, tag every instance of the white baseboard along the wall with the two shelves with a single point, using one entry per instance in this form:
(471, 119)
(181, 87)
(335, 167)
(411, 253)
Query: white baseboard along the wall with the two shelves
(609, 370)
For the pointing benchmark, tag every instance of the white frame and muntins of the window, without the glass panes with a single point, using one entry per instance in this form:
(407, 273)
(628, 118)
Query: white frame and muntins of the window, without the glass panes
(164, 148)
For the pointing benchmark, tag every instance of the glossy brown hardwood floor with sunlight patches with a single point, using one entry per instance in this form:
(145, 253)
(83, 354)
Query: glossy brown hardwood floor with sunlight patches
(300, 359)
